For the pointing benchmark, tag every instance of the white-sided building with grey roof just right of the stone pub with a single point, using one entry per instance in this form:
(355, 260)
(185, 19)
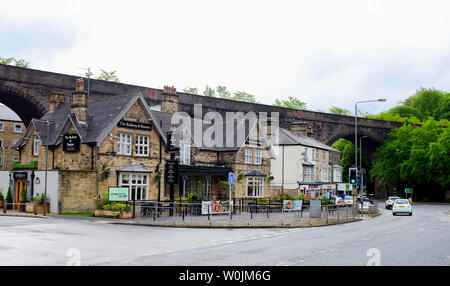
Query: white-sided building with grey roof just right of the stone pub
(303, 164)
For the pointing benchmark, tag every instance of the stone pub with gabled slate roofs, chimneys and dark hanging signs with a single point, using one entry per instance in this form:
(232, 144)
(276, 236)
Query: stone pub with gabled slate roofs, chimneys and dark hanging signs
(90, 145)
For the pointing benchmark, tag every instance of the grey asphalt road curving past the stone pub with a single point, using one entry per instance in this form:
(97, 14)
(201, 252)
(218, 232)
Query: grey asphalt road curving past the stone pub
(422, 239)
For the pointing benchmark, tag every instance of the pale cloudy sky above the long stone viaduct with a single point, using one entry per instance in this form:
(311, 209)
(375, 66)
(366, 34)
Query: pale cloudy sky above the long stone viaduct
(326, 53)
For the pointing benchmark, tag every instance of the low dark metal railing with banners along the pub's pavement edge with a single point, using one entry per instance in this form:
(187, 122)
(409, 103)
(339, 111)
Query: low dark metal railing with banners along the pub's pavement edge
(271, 215)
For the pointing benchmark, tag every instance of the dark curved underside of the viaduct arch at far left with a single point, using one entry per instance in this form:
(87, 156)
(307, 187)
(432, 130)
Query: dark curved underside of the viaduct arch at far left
(22, 103)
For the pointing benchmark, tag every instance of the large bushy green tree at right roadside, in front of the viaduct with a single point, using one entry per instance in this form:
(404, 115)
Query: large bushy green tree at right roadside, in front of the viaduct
(415, 157)
